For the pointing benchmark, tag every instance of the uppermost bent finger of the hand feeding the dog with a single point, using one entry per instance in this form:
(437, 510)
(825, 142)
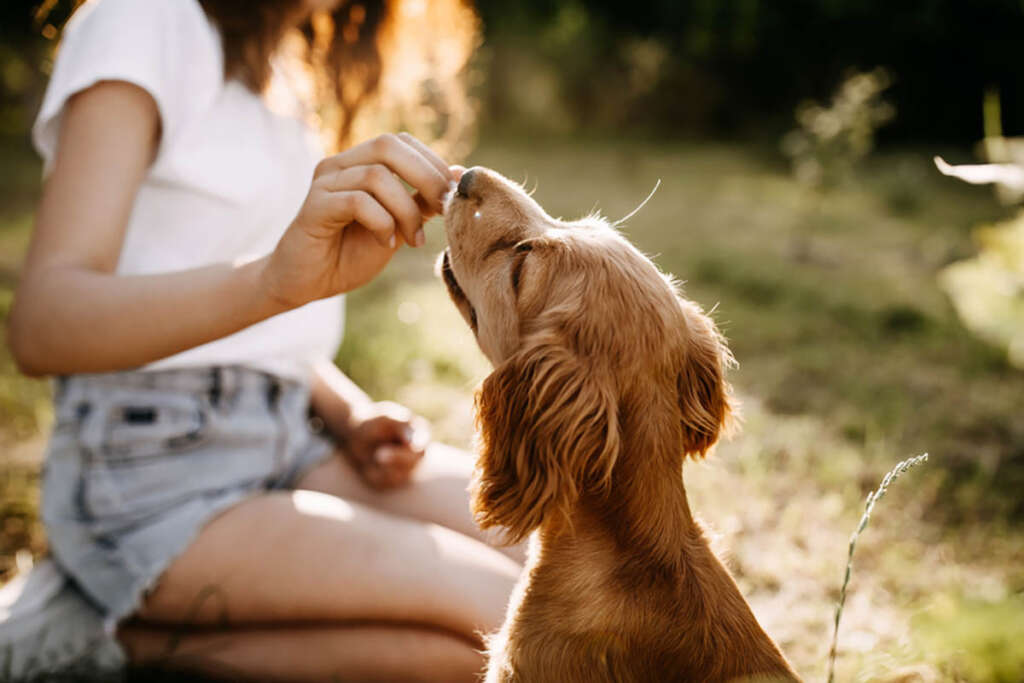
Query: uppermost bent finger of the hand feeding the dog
(401, 158)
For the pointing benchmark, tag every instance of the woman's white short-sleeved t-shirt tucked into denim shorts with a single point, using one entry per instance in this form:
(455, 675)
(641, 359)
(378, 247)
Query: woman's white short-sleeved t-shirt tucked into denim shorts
(230, 174)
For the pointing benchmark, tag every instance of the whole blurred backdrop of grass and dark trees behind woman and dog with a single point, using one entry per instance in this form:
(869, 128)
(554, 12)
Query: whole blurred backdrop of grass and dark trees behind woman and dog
(876, 307)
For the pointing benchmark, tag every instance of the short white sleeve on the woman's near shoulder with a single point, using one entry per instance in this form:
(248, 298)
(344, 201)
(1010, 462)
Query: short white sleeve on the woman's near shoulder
(167, 48)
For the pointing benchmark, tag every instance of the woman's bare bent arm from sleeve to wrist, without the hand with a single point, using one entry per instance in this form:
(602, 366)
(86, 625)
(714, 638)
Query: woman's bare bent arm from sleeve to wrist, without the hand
(71, 315)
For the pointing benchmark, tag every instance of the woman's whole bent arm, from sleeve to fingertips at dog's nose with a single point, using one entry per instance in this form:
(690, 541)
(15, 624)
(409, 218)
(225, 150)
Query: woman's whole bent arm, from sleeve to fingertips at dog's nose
(73, 315)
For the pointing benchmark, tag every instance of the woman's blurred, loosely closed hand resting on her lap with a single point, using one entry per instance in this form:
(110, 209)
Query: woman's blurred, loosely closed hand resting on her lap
(385, 444)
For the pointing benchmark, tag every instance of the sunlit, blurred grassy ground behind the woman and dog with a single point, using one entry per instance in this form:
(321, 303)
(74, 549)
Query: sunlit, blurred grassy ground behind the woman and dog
(851, 359)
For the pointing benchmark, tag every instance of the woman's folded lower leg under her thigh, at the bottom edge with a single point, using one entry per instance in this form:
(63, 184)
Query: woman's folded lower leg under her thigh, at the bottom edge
(357, 653)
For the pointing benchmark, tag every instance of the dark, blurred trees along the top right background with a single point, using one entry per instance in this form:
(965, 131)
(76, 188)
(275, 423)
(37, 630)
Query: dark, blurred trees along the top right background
(736, 66)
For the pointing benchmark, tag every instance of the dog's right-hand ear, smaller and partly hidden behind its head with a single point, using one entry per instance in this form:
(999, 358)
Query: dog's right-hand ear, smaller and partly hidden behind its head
(705, 398)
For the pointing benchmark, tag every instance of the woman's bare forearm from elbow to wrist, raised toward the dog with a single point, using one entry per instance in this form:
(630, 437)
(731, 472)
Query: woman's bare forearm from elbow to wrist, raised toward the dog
(72, 320)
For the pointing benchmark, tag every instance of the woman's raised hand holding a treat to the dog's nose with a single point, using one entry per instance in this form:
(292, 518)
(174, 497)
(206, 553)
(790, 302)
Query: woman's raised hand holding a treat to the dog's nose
(357, 215)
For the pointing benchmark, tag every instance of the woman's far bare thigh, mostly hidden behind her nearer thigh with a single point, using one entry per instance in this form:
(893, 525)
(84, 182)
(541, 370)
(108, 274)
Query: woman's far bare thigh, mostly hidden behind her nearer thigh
(438, 493)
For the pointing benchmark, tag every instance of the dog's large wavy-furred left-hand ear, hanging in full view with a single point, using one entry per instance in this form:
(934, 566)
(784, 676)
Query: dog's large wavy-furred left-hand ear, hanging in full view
(548, 431)
